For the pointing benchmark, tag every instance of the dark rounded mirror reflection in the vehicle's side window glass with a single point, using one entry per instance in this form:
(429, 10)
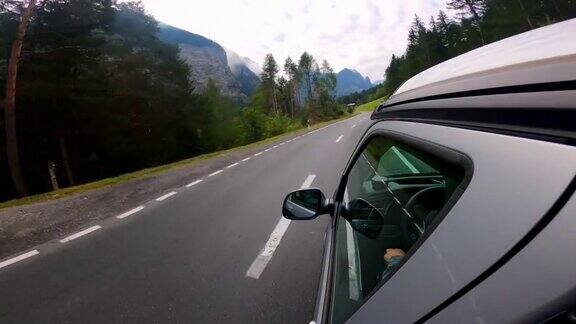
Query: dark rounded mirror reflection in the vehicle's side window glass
(364, 217)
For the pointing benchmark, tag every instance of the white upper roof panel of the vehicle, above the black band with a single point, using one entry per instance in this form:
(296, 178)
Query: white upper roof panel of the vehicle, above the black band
(543, 55)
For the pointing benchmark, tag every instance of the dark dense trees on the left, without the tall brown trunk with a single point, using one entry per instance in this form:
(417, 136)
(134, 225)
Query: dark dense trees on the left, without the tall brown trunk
(96, 80)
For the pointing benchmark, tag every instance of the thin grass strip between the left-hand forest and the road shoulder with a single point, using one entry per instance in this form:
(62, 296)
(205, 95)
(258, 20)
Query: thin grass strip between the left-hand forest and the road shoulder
(151, 171)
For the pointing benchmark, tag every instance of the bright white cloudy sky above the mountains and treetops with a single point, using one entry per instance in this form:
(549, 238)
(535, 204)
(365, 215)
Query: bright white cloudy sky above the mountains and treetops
(357, 34)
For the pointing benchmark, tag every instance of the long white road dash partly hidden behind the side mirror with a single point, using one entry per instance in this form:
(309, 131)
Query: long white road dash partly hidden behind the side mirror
(267, 252)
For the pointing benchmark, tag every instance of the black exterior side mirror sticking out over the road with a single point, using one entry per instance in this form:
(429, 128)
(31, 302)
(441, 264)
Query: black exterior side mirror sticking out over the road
(305, 204)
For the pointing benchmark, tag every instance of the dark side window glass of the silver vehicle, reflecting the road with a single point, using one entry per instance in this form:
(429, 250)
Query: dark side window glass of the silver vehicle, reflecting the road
(393, 194)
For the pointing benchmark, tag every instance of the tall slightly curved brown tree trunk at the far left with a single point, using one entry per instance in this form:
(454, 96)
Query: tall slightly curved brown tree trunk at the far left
(10, 105)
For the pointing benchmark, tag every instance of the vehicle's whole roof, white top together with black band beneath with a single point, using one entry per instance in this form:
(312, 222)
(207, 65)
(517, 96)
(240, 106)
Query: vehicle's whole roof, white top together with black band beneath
(523, 86)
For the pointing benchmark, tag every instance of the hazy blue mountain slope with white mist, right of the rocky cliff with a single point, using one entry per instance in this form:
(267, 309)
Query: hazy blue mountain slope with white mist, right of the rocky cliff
(245, 71)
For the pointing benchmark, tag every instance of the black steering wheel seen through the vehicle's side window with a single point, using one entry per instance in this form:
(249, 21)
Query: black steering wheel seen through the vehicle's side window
(422, 207)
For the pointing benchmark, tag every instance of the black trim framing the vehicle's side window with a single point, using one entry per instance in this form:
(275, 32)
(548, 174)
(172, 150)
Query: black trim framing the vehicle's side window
(449, 155)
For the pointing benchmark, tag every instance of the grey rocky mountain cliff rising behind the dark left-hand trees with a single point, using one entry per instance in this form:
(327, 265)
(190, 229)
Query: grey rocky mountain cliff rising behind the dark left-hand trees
(209, 60)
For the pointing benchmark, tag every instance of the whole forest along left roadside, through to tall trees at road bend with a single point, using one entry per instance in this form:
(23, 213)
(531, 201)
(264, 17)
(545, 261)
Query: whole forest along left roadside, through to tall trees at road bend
(95, 93)
